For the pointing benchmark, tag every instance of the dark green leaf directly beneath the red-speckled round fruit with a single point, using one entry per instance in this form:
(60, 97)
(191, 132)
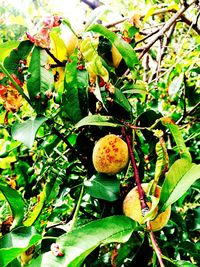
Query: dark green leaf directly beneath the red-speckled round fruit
(103, 187)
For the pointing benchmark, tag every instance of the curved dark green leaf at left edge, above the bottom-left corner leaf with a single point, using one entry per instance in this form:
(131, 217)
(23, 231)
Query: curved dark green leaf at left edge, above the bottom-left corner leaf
(15, 201)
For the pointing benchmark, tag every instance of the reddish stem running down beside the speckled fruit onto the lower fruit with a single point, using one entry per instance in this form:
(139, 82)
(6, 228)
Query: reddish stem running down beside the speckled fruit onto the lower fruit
(142, 195)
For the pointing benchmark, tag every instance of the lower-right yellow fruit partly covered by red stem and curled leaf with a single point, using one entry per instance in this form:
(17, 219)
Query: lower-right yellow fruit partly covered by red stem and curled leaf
(132, 208)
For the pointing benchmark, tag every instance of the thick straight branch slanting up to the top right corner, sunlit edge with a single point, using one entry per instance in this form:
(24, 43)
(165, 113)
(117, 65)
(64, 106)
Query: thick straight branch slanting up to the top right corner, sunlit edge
(166, 27)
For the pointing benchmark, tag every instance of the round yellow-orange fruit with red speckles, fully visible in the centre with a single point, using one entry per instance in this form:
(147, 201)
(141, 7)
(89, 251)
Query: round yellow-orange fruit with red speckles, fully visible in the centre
(110, 154)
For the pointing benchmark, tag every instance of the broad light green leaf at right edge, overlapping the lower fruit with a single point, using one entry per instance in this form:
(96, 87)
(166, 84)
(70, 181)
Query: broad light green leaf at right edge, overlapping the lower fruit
(178, 180)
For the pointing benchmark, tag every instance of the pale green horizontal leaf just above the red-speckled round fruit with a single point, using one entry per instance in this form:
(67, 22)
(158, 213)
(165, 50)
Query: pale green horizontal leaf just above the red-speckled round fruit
(98, 120)
